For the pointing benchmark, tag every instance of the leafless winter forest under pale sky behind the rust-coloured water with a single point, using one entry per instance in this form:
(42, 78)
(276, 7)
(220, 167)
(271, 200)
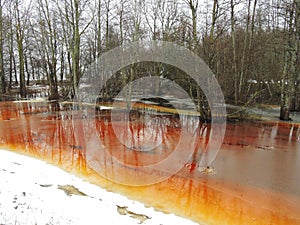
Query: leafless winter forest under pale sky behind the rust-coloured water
(252, 46)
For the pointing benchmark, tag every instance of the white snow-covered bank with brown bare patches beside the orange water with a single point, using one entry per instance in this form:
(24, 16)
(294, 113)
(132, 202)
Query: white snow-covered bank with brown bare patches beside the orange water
(34, 192)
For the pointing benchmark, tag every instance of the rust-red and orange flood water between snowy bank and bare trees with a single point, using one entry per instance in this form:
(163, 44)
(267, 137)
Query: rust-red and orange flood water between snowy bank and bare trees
(257, 177)
